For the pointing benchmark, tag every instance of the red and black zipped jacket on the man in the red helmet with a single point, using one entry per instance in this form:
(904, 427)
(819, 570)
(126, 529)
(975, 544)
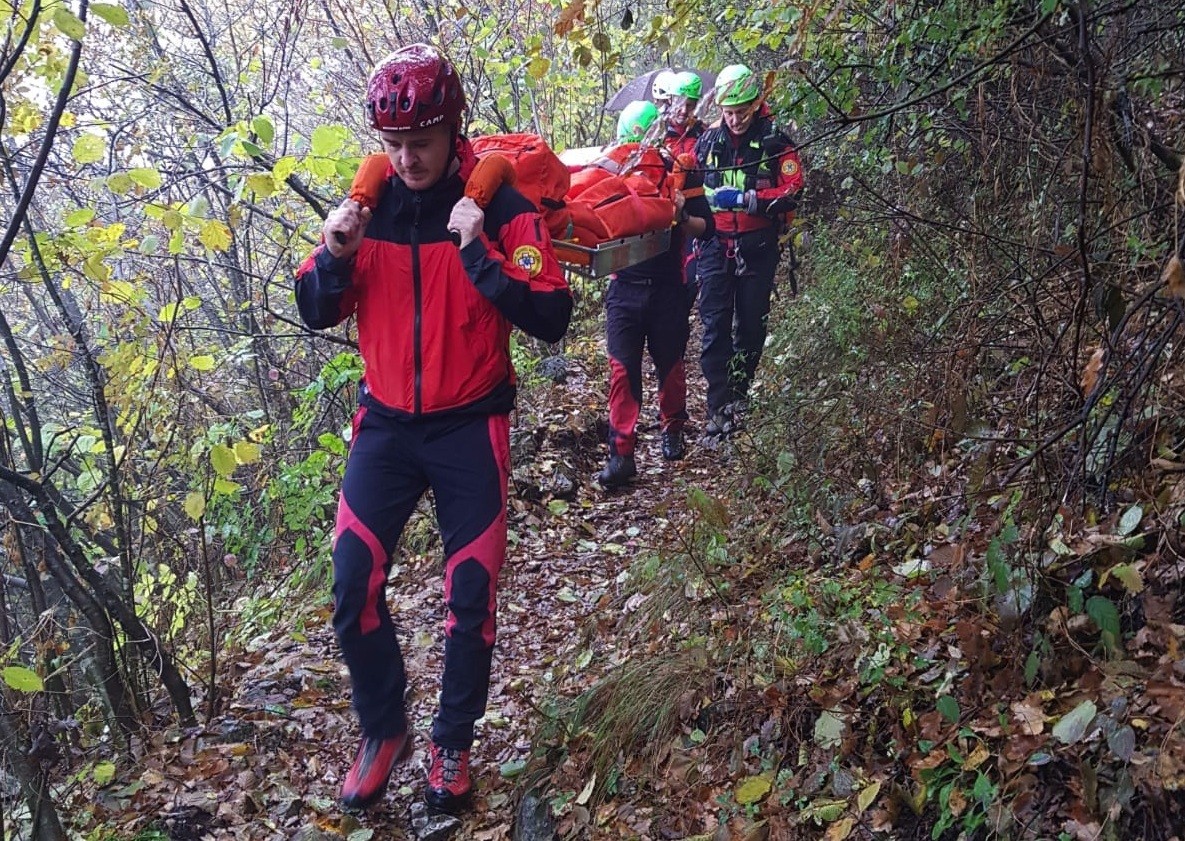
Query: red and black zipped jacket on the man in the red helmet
(434, 322)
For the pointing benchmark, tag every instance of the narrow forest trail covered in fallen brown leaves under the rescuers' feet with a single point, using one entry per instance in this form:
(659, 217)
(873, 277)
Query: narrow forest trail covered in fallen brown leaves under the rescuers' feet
(272, 766)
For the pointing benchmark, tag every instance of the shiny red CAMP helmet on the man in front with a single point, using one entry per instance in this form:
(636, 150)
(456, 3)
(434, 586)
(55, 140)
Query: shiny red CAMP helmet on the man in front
(415, 87)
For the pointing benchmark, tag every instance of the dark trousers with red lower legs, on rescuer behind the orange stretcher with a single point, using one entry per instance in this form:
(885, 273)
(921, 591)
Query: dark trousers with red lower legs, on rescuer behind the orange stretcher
(645, 317)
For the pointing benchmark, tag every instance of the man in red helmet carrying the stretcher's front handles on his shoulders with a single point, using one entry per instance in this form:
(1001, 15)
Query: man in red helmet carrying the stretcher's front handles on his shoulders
(434, 322)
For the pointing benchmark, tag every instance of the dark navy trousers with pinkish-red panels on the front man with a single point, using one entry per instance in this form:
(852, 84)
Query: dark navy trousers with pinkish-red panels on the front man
(465, 460)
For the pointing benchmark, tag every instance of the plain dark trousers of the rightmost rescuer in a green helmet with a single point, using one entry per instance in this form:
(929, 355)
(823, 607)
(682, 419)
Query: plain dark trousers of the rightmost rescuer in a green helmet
(736, 279)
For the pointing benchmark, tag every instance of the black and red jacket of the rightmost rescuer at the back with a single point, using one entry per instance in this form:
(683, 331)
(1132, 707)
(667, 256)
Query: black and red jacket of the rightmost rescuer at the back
(763, 159)
